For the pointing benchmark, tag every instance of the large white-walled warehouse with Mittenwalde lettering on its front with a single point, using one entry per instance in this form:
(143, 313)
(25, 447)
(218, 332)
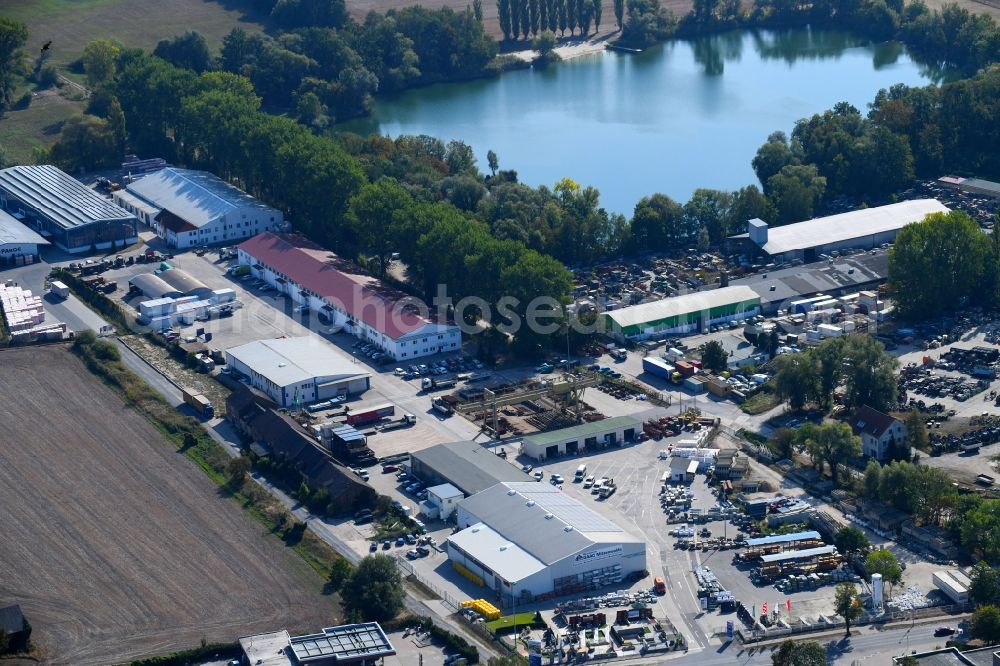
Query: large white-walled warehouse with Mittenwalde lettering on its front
(527, 540)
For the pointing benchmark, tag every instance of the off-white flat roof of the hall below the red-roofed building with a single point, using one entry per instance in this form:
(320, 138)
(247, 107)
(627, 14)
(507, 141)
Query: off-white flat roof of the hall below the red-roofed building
(288, 361)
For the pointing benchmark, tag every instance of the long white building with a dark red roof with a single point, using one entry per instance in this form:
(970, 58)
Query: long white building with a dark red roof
(343, 295)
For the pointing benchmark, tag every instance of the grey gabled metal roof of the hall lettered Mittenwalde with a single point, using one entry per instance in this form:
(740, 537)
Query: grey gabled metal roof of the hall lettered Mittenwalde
(543, 520)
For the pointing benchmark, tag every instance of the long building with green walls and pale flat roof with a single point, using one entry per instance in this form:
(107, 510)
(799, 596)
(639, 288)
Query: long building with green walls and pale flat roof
(689, 313)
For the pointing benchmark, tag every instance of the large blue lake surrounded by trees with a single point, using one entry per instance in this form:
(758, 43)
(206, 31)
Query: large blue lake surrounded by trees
(681, 115)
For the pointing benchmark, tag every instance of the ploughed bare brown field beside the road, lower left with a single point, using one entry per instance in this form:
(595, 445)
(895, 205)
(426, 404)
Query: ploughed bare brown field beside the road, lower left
(115, 544)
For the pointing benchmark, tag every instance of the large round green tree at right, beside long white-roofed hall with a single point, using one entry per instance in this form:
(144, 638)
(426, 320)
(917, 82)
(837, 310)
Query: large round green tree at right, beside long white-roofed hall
(936, 265)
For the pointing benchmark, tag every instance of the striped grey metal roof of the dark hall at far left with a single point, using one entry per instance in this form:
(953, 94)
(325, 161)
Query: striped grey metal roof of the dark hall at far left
(59, 197)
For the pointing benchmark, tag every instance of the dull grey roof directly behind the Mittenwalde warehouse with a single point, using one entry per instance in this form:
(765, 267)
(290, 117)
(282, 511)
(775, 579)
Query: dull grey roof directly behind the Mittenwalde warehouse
(469, 466)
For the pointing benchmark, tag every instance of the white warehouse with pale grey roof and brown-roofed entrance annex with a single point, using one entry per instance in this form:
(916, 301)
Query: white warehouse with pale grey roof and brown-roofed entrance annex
(190, 208)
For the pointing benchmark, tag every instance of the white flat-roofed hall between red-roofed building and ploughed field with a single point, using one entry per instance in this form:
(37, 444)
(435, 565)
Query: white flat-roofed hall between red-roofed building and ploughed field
(297, 371)
